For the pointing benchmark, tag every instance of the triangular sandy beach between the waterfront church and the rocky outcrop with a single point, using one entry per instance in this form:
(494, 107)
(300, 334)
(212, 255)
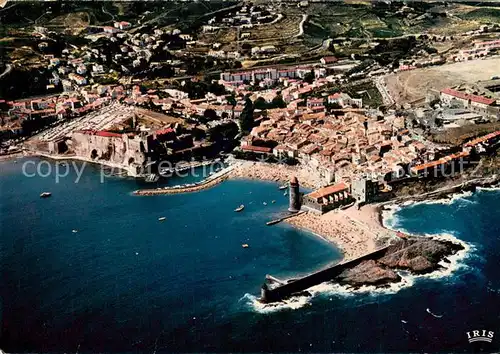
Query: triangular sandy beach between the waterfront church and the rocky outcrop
(355, 232)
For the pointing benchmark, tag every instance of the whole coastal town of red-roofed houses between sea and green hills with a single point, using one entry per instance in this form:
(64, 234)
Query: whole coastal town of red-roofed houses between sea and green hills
(132, 94)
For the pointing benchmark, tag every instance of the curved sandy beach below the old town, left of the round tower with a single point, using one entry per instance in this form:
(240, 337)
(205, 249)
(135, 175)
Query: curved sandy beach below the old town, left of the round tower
(275, 172)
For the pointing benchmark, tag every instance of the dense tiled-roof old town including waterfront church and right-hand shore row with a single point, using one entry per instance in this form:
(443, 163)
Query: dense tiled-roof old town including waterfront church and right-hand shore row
(357, 154)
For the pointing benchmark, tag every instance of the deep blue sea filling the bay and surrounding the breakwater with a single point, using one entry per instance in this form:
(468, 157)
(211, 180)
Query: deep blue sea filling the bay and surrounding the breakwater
(125, 282)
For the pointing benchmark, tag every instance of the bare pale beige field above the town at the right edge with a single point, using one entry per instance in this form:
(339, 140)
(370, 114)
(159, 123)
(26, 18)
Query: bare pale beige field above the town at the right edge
(412, 85)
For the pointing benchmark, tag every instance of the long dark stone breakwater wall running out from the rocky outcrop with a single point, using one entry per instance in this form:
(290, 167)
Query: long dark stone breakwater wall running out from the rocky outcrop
(285, 290)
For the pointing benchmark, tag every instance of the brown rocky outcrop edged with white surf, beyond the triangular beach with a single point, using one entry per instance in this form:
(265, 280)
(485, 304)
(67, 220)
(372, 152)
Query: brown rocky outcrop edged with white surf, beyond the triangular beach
(418, 255)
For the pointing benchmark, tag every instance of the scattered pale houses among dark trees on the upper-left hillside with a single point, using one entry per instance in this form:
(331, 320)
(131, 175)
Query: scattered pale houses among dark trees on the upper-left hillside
(81, 66)
